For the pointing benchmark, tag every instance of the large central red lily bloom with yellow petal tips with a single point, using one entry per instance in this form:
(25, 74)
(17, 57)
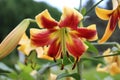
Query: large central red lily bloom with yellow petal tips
(63, 37)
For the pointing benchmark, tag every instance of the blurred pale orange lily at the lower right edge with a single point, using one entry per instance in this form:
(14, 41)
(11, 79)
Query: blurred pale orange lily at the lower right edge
(112, 64)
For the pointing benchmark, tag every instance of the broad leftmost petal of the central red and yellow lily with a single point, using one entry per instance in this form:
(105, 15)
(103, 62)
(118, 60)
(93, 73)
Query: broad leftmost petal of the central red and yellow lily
(41, 37)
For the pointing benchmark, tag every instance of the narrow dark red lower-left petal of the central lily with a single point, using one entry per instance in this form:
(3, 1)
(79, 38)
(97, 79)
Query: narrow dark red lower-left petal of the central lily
(54, 49)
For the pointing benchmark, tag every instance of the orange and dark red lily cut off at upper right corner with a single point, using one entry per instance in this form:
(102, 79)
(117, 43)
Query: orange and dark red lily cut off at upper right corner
(113, 16)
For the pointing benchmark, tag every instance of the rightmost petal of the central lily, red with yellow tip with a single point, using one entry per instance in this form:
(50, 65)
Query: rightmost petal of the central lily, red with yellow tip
(89, 33)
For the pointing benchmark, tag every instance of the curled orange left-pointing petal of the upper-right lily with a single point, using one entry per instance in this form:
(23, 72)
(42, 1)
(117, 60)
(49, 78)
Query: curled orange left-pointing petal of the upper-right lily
(103, 13)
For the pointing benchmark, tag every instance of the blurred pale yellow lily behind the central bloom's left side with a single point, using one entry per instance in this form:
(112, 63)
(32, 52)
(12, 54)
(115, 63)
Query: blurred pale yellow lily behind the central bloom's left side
(26, 47)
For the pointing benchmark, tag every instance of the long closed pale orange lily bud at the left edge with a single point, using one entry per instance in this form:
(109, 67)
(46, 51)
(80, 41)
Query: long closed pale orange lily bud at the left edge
(13, 38)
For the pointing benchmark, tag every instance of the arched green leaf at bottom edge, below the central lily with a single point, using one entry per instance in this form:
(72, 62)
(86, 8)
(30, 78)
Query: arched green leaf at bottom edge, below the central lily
(74, 75)
